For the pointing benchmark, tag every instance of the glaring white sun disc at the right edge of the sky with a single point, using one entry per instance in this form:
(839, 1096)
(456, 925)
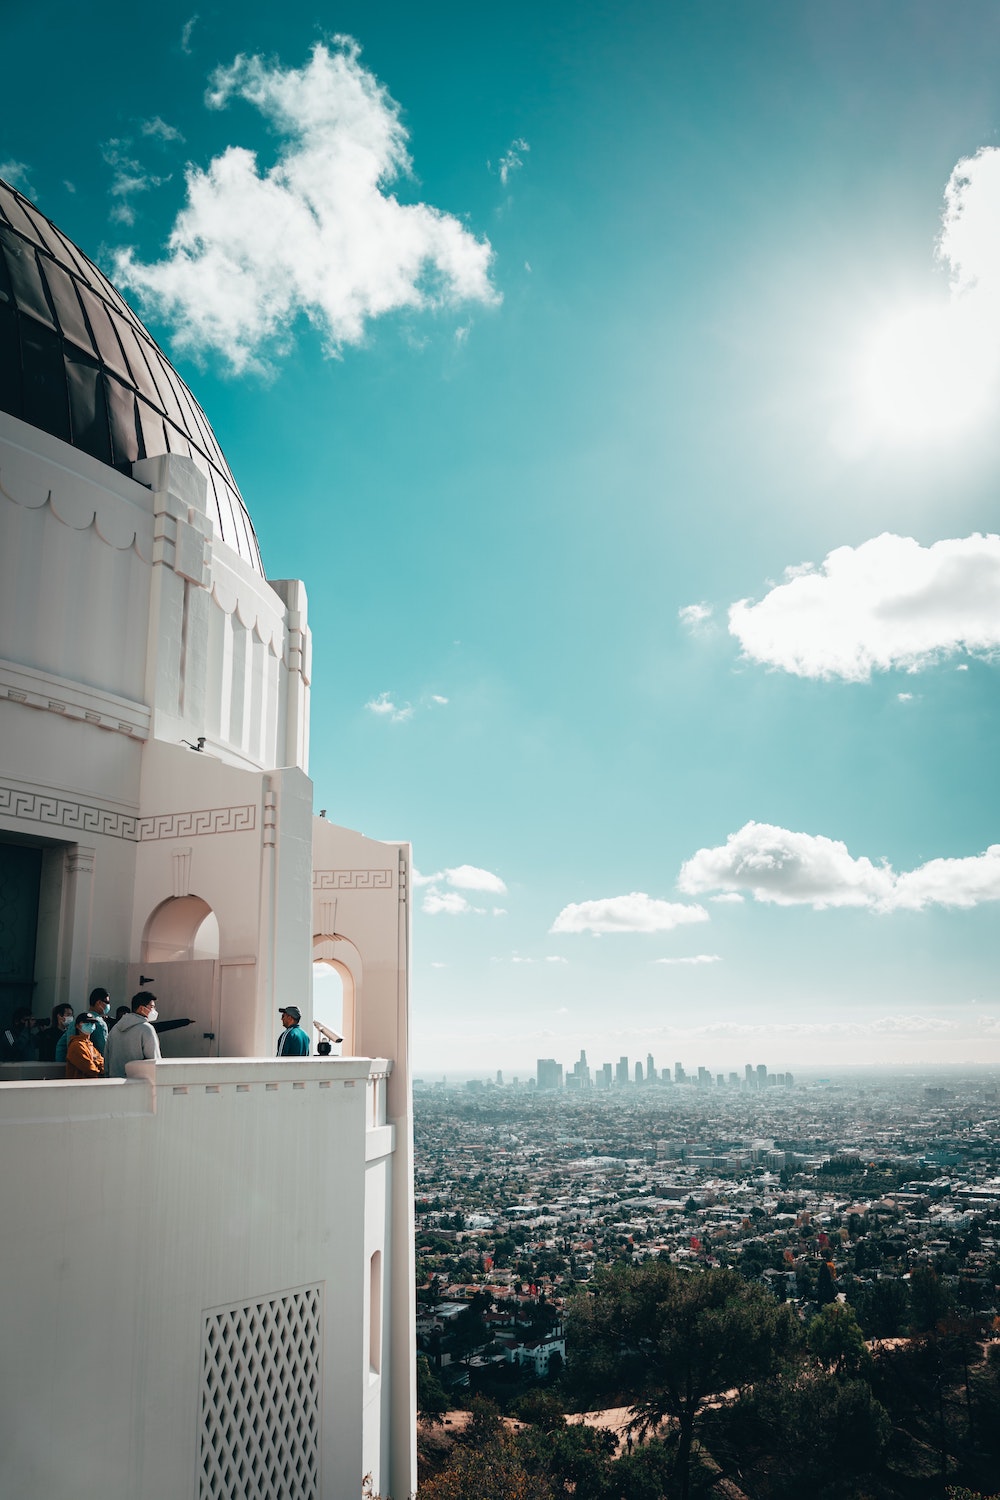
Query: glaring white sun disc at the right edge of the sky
(927, 373)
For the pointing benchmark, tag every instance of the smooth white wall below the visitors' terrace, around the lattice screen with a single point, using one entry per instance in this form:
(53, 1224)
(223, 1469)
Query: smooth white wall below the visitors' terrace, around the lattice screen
(130, 1211)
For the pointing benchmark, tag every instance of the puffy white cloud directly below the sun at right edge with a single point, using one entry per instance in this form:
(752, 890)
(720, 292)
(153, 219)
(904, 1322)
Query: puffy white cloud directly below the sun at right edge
(887, 604)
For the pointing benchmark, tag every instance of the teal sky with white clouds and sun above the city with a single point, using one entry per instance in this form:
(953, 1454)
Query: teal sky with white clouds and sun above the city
(623, 383)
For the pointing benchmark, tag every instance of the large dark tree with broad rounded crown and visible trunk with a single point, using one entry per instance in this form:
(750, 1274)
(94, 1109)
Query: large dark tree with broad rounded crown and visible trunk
(666, 1342)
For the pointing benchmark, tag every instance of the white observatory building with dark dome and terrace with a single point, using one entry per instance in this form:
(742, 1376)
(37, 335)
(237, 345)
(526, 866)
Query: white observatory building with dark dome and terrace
(208, 1265)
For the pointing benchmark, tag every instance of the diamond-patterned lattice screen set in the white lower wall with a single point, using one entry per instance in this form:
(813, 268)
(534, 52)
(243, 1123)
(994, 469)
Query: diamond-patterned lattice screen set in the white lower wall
(260, 1399)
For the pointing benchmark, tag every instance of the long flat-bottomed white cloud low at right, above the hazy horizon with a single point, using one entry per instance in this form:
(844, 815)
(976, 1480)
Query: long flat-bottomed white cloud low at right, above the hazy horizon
(794, 869)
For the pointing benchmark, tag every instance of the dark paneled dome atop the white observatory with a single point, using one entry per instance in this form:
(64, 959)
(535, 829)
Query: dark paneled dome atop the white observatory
(79, 364)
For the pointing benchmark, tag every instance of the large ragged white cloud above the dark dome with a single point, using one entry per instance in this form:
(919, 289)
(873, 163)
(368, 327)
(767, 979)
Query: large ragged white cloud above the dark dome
(317, 235)
